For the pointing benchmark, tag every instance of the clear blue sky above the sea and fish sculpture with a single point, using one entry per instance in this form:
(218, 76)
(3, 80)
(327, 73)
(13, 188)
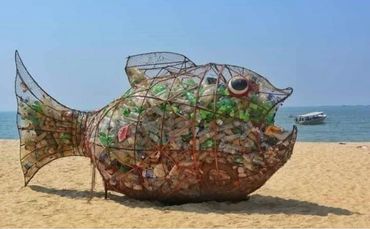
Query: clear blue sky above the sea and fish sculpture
(76, 50)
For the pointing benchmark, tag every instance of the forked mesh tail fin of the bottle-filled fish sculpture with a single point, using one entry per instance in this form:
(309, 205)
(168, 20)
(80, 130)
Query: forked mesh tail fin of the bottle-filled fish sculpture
(47, 129)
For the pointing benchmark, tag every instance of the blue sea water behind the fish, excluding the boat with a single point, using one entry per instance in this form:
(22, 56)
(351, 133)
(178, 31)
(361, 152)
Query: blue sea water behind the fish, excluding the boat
(344, 123)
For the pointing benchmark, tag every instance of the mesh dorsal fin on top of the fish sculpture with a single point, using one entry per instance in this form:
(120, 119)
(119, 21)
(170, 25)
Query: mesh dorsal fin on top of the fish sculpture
(141, 67)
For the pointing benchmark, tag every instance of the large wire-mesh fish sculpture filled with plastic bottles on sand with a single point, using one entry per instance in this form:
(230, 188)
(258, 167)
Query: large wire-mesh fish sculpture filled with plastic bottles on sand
(182, 132)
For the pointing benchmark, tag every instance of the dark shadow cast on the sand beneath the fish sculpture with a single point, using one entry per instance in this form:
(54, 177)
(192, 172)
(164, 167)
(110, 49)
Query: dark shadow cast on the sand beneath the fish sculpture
(257, 204)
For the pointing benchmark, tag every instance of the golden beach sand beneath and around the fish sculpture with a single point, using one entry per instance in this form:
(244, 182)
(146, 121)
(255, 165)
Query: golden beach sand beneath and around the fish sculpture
(322, 185)
